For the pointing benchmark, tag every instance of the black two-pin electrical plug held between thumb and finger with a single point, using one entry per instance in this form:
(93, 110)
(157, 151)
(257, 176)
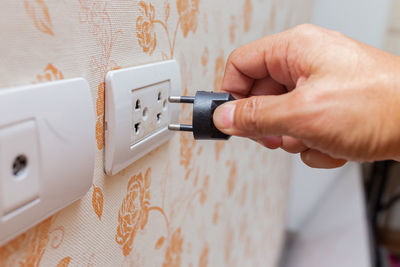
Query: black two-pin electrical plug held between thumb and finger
(204, 105)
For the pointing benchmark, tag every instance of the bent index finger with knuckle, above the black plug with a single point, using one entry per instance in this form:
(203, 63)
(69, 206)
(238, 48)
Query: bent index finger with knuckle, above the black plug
(277, 56)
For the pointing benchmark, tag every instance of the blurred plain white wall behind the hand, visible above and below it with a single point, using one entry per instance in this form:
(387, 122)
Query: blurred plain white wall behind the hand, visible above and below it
(366, 21)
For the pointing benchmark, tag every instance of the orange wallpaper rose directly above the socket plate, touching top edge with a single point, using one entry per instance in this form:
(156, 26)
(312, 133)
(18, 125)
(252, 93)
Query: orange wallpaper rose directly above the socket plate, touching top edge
(145, 28)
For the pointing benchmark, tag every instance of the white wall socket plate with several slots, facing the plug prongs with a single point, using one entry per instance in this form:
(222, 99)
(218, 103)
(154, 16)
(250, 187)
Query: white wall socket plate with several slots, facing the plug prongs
(138, 112)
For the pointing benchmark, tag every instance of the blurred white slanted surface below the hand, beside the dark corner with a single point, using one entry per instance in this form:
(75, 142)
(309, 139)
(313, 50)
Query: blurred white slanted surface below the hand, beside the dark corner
(335, 234)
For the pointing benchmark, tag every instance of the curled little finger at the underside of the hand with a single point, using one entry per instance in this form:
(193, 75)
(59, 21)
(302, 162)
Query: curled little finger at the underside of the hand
(316, 159)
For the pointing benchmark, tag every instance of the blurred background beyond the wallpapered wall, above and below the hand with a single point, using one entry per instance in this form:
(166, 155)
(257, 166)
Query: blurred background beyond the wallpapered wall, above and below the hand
(348, 216)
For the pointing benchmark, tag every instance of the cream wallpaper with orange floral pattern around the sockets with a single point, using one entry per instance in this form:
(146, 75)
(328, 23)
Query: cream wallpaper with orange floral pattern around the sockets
(187, 203)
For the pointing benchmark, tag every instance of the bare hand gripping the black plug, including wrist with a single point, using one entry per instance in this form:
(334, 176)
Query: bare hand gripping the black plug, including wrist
(316, 92)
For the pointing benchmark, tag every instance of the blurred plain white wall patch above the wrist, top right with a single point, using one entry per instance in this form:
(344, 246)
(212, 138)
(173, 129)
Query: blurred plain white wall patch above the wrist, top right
(364, 20)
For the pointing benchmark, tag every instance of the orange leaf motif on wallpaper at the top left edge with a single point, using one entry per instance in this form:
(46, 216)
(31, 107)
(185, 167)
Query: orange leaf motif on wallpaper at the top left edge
(39, 13)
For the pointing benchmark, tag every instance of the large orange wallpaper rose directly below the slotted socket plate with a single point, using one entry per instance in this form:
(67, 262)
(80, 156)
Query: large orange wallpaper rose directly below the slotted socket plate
(134, 211)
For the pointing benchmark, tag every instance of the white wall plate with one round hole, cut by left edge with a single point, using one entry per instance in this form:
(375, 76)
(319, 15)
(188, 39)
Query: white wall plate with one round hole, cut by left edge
(57, 120)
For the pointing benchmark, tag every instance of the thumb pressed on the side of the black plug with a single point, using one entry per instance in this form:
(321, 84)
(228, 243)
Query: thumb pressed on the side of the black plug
(256, 116)
